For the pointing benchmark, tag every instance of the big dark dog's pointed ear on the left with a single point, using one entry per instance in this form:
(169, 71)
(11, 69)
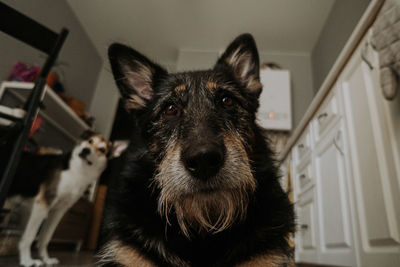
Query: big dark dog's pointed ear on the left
(134, 74)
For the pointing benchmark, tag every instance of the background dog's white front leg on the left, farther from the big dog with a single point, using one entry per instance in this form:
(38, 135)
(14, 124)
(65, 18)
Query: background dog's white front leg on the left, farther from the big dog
(38, 214)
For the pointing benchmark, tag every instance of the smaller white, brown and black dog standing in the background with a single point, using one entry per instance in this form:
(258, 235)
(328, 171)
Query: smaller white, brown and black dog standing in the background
(56, 182)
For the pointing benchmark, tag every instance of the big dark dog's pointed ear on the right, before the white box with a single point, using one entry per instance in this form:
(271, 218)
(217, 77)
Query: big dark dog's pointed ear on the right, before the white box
(241, 57)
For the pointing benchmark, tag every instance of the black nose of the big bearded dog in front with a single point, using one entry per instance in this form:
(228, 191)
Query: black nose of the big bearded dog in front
(204, 161)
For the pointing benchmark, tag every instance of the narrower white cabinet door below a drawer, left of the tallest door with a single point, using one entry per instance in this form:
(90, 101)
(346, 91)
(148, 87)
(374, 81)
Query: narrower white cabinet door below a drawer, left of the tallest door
(336, 246)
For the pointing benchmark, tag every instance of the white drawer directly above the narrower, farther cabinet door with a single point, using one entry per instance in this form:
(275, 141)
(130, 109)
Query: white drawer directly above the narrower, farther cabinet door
(326, 114)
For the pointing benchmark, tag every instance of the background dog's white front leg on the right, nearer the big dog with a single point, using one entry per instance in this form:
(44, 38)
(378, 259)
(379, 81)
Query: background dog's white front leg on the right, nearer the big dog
(55, 215)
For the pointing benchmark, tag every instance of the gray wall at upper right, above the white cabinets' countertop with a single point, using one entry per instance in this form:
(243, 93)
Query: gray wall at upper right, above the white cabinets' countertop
(339, 25)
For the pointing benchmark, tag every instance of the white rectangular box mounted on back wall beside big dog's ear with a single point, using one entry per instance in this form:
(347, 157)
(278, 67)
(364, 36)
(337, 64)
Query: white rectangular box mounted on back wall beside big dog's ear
(275, 111)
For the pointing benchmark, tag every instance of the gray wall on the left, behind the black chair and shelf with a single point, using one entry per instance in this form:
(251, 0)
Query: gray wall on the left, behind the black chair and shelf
(84, 63)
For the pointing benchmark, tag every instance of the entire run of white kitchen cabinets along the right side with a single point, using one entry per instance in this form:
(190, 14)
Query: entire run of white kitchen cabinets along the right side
(346, 172)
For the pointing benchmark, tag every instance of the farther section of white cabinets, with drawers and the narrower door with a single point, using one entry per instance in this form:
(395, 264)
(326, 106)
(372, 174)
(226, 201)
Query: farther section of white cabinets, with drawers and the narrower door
(325, 230)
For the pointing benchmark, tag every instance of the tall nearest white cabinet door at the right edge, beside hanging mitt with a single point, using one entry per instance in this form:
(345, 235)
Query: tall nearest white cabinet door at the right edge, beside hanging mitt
(375, 165)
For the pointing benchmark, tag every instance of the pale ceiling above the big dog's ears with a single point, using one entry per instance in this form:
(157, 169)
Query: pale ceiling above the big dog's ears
(159, 28)
